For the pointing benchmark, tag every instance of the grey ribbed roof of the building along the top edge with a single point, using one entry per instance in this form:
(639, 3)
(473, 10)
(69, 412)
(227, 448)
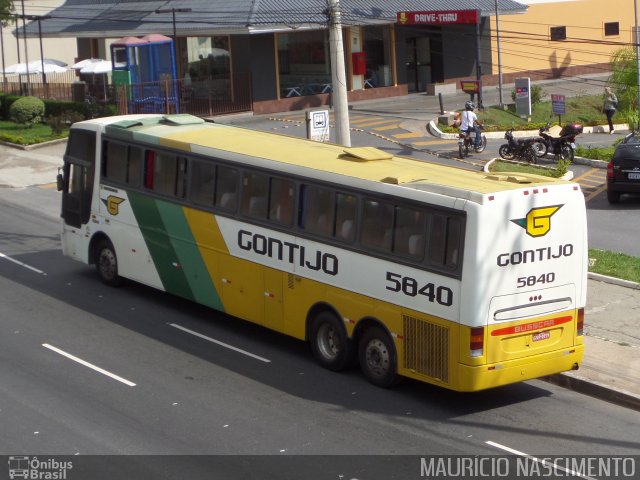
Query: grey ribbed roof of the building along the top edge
(104, 19)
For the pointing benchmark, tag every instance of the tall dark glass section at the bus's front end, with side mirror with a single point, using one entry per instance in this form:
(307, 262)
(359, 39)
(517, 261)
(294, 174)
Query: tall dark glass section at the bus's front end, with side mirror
(76, 181)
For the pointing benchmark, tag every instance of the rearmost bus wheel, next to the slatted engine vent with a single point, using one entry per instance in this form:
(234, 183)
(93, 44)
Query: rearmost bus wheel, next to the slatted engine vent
(378, 360)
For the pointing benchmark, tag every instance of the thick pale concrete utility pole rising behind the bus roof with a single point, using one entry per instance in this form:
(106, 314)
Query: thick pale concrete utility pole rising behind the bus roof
(338, 75)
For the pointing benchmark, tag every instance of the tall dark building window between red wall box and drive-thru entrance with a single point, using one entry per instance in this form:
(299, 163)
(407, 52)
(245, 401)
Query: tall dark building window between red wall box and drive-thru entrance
(377, 49)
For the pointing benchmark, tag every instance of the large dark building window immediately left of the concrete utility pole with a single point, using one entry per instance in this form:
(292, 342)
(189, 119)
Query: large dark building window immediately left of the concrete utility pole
(304, 63)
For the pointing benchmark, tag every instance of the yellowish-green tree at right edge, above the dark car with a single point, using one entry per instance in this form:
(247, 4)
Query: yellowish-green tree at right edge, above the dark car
(624, 82)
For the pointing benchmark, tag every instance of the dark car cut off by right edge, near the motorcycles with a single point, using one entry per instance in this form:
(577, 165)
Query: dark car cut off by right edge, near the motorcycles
(623, 171)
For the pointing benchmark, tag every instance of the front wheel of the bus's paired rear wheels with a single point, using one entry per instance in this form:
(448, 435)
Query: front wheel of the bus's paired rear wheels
(331, 347)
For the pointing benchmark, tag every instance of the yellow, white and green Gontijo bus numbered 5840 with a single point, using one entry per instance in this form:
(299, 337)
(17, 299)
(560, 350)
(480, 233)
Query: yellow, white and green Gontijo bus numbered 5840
(462, 279)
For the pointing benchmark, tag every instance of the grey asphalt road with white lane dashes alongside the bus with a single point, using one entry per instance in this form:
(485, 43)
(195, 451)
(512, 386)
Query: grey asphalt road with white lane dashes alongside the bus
(86, 369)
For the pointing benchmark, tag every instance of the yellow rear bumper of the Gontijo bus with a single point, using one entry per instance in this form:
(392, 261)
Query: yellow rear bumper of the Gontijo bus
(504, 373)
